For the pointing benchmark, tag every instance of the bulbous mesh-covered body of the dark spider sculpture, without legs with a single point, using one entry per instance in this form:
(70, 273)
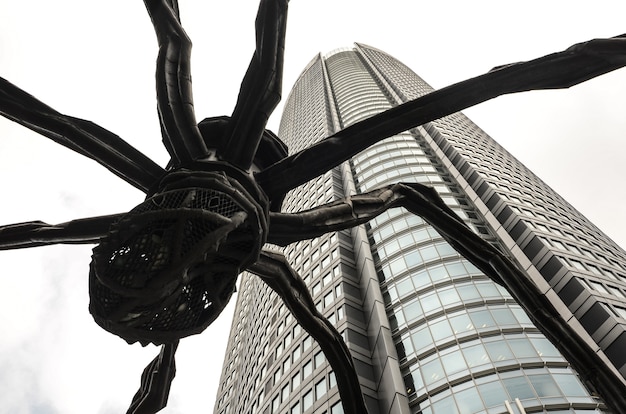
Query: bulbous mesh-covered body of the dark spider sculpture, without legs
(168, 268)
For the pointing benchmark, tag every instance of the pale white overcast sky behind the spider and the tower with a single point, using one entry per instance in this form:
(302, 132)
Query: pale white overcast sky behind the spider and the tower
(95, 60)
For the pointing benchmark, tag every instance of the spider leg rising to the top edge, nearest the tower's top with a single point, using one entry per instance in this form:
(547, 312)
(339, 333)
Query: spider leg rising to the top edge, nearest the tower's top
(261, 86)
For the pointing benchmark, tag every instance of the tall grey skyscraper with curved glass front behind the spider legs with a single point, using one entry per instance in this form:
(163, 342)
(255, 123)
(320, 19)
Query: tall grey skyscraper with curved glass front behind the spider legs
(428, 331)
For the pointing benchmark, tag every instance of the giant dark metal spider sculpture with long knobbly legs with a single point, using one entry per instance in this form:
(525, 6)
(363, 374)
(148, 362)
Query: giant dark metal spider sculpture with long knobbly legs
(167, 268)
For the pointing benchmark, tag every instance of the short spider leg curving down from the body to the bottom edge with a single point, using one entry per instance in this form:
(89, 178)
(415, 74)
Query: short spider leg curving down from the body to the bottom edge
(274, 270)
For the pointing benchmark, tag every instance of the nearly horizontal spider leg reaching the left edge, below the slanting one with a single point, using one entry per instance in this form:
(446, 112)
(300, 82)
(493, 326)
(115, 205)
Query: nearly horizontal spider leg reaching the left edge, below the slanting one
(38, 233)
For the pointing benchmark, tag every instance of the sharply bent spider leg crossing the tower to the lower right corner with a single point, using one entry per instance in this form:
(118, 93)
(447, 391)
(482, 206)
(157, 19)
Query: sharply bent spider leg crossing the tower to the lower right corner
(426, 203)
